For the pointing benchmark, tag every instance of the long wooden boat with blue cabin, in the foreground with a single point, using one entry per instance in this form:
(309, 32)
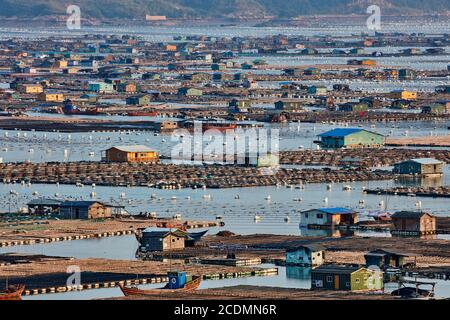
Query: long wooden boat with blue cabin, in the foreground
(178, 282)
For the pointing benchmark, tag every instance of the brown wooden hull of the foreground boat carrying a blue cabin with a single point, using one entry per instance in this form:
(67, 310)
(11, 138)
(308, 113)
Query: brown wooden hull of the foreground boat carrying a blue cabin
(171, 287)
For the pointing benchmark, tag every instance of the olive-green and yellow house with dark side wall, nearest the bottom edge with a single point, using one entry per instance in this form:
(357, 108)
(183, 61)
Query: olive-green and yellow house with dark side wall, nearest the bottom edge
(347, 278)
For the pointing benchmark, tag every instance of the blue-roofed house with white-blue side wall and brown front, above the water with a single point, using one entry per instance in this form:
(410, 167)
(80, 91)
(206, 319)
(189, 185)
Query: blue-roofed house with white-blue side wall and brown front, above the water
(328, 217)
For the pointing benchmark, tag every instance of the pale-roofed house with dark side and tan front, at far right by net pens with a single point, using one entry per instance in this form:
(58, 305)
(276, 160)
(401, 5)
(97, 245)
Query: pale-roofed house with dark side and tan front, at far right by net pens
(420, 166)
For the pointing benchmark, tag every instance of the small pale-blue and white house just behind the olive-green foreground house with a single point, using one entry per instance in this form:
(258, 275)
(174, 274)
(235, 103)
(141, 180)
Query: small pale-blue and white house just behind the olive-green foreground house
(307, 255)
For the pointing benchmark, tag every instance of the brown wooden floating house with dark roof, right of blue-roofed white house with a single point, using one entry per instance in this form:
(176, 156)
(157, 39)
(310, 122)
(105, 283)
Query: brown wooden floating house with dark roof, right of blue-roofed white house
(414, 223)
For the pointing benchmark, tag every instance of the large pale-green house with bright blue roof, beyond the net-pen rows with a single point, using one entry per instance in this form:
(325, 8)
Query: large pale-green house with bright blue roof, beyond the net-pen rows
(350, 138)
